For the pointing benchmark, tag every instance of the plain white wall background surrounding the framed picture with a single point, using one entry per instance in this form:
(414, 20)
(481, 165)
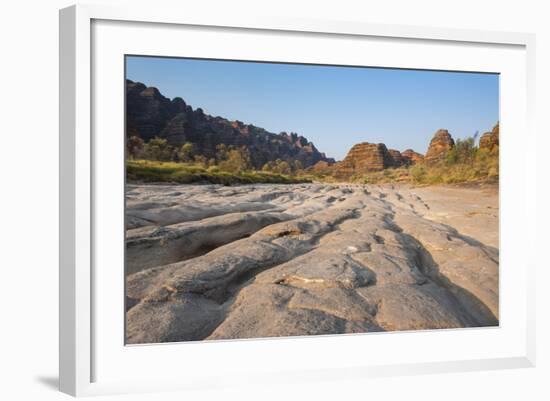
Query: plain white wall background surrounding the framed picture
(29, 186)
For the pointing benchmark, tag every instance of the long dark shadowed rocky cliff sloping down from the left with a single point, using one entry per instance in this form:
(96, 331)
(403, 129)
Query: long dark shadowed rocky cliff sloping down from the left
(150, 114)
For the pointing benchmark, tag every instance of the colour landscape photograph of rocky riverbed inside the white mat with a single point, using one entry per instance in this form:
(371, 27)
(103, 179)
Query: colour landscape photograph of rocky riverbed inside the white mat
(272, 199)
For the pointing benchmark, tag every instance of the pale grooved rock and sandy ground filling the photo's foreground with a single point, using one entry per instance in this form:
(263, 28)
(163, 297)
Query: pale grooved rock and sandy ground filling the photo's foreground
(213, 262)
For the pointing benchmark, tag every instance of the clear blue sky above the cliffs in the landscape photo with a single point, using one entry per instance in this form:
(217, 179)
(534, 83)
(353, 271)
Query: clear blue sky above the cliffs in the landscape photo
(334, 107)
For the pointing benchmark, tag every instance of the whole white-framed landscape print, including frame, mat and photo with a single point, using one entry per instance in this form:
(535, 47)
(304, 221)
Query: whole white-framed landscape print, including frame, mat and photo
(294, 200)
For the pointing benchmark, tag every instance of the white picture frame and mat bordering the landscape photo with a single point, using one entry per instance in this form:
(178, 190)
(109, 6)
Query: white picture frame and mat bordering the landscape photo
(84, 348)
